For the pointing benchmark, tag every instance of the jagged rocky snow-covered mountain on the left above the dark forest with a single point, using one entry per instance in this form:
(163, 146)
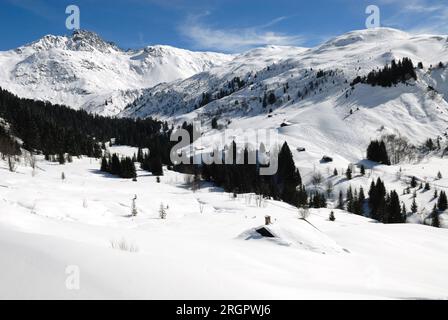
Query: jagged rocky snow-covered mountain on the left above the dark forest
(83, 71)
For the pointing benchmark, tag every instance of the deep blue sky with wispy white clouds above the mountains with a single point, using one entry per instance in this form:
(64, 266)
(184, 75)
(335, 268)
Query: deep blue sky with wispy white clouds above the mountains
(218, 25)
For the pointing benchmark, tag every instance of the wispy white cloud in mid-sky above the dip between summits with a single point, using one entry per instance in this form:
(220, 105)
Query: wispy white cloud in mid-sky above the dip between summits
(204, 36)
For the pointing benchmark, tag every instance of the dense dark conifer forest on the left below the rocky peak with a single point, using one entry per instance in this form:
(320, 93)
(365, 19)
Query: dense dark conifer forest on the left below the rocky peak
(54, 129)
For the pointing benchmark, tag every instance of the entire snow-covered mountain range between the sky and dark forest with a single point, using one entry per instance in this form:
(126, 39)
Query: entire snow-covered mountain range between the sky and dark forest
(308, 89)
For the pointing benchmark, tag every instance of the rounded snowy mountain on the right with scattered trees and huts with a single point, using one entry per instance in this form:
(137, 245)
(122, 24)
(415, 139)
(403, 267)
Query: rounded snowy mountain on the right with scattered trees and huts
(313, 93)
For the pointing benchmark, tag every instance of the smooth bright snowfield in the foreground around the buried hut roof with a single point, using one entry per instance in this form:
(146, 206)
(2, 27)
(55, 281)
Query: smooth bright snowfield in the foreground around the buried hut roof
(47, 225)
